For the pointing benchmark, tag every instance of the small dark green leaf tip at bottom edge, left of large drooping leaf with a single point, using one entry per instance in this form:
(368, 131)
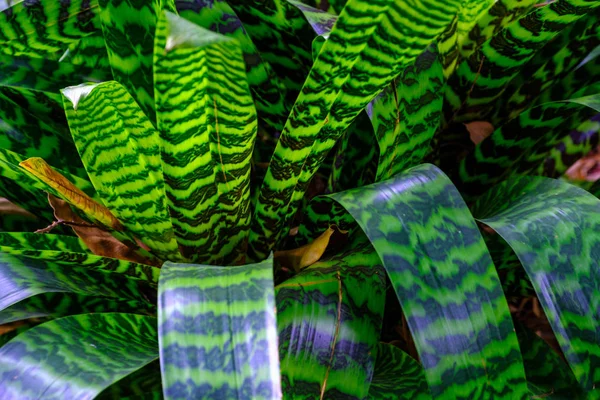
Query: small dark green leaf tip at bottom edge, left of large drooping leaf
(397, 376)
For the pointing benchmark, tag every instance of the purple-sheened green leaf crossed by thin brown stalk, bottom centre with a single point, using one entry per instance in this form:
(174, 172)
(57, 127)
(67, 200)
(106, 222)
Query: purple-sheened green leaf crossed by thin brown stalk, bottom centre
(329, 318)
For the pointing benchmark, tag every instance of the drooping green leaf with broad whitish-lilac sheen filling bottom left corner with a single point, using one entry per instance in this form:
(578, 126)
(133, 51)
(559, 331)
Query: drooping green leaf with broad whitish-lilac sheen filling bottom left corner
(76, 357)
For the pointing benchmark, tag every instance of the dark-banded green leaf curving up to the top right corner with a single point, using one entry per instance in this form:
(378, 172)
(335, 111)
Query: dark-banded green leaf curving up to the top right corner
(480, 80)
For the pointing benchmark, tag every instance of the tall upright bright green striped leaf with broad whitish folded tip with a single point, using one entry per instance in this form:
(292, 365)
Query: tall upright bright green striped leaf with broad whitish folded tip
(207, 123)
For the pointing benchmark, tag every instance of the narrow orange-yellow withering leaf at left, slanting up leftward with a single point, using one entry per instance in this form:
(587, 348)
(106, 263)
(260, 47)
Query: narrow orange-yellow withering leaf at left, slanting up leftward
(70, 193)
